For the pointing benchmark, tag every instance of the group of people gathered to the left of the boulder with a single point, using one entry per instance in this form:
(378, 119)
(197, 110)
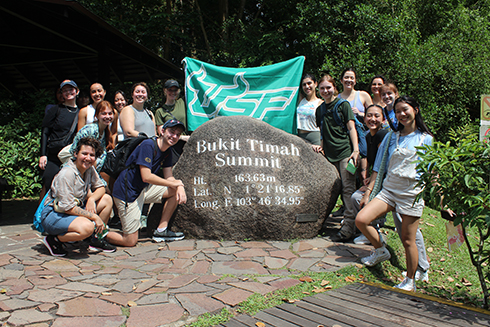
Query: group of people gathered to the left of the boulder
(79, 195)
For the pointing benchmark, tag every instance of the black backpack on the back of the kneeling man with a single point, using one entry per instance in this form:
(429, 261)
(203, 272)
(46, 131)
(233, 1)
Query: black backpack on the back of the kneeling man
(116, 159)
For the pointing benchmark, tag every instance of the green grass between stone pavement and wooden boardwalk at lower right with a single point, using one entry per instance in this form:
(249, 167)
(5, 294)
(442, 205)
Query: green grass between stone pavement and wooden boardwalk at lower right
(446, 273)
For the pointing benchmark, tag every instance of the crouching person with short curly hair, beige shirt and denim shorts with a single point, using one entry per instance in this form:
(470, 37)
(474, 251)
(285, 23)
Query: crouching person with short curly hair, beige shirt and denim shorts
(77, 203)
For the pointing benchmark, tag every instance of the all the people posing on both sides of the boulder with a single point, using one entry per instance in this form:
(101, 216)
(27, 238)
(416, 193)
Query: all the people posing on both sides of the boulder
(80, 195)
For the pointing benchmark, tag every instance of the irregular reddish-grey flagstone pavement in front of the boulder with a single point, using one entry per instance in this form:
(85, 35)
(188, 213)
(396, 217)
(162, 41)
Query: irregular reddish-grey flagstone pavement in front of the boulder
(152, 284)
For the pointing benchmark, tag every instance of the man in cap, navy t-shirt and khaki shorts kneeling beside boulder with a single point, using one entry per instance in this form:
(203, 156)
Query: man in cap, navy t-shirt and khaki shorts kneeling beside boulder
(139, 184)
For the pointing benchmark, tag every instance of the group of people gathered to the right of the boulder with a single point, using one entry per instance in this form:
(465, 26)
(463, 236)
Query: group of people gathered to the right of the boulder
(394, 128)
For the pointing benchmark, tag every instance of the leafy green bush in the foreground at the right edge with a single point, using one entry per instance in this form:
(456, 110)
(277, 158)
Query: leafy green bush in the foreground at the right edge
(456, 174)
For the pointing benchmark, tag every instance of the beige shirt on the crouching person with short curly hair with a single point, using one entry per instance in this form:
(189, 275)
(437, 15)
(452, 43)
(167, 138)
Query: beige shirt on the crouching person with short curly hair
(69, 185)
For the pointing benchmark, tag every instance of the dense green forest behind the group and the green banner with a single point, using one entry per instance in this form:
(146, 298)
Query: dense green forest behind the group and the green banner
(435, 50)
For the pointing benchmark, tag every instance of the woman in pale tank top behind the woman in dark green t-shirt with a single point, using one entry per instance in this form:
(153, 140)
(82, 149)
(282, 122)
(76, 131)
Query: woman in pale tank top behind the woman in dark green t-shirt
(359, 100)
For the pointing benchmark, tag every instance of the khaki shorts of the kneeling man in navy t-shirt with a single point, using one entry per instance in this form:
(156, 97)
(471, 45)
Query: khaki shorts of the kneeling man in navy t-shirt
(130, 214)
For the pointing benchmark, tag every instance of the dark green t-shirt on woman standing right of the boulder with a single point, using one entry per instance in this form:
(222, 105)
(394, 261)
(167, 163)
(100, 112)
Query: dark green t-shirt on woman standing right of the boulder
(336, 141)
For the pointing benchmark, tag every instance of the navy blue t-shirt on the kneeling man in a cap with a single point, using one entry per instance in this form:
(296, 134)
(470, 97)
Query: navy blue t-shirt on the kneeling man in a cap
(143, 155)
